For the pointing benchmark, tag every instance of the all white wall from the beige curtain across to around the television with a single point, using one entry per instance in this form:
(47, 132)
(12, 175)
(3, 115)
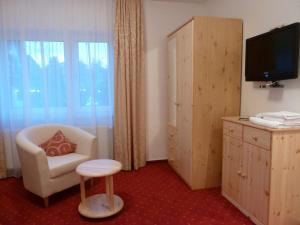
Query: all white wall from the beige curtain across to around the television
(162, 18)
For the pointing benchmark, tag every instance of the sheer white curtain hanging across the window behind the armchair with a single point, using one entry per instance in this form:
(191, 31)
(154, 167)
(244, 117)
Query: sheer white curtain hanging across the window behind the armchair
(56, 66)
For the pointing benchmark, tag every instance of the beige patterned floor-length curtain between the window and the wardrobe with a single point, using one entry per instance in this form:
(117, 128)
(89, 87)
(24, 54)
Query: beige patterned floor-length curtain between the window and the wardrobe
(129, 120)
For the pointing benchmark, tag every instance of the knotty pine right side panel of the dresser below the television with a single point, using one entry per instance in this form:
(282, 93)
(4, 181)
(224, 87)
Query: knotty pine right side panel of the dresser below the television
(285, 182)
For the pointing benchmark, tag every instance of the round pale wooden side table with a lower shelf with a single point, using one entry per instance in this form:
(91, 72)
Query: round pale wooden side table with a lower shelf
(99, 205)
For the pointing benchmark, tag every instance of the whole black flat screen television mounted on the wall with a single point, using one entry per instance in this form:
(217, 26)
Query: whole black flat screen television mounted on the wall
(274, 55)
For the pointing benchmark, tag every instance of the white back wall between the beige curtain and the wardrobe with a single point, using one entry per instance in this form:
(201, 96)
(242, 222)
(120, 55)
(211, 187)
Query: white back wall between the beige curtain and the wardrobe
(161, 18)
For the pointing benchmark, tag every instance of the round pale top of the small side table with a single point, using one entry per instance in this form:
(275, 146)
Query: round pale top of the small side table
(98, 168)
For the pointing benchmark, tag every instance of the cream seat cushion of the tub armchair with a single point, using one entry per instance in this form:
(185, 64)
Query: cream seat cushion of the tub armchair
(59, 165)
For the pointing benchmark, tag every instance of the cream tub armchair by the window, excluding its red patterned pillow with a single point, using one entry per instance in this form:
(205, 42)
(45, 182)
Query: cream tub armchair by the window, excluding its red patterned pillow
(44, 175)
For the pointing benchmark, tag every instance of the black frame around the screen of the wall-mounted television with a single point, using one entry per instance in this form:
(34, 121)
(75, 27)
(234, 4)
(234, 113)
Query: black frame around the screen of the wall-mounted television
(276, 76)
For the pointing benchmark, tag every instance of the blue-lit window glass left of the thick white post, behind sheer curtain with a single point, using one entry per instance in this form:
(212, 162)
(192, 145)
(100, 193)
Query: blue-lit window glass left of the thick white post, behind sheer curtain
(44, 71)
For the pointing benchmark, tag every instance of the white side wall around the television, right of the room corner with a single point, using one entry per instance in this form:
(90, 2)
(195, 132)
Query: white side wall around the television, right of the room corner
(260, 16)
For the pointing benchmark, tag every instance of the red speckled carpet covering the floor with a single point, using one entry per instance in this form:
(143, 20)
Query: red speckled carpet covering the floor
(154, 195)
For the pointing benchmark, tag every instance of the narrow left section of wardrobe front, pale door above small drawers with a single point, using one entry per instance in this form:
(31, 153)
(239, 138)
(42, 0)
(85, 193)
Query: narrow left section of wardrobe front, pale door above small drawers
(172, 86)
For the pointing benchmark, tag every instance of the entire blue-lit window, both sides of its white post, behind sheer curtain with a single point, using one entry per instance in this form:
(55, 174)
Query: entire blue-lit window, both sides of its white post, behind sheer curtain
(42, 71)
